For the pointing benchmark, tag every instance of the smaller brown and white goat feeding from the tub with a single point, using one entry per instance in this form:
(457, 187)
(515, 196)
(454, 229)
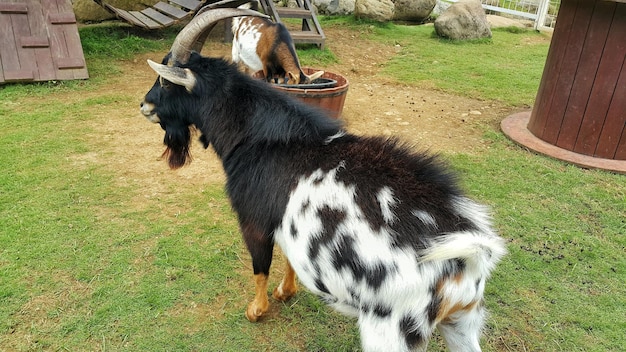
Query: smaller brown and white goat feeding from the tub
(261, 44)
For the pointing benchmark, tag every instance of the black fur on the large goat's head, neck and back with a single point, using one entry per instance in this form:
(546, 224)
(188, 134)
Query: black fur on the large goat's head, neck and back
(267, 140)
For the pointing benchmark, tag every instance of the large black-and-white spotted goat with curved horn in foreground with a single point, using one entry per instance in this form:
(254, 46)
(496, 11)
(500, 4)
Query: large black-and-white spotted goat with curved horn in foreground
(376, 230)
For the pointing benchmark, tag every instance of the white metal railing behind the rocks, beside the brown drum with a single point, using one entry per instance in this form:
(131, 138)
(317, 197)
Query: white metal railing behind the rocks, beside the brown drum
(541, 12)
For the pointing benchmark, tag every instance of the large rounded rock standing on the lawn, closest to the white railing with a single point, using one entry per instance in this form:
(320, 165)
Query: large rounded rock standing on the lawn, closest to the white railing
(465, 19)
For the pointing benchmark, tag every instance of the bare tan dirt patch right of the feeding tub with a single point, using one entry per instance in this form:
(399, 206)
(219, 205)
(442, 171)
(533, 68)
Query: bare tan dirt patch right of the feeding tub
(425, 117)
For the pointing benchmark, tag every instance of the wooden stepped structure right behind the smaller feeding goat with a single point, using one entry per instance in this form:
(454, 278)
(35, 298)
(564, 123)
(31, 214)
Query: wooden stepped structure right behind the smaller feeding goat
(311, 31)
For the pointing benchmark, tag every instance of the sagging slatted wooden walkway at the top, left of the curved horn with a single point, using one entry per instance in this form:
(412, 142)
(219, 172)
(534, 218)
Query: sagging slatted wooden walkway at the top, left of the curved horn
(160, 15)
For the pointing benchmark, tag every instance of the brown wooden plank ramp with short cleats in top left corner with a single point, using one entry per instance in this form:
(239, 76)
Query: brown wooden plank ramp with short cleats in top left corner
(39, 41)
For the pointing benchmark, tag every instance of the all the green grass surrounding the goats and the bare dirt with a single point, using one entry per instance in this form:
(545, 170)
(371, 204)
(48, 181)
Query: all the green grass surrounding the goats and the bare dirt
(88, 263)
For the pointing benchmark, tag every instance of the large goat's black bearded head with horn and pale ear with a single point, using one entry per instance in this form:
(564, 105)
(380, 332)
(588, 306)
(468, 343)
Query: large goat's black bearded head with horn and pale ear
(169, 101)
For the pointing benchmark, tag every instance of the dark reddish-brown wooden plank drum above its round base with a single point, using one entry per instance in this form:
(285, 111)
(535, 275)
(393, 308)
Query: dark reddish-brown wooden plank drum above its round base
(581, 101)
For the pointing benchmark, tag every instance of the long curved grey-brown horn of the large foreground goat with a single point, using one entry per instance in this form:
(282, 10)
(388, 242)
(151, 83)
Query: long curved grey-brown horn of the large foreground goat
(191, 37)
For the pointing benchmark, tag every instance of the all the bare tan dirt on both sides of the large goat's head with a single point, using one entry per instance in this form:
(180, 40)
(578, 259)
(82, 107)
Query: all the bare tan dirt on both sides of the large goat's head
(427, 118)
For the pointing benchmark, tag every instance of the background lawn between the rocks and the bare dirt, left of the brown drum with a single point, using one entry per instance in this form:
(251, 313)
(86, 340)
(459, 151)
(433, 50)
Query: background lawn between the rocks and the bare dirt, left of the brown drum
(502, 68)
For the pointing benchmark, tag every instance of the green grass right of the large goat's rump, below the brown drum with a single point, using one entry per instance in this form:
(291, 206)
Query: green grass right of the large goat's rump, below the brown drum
(560, 287)
